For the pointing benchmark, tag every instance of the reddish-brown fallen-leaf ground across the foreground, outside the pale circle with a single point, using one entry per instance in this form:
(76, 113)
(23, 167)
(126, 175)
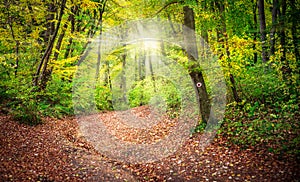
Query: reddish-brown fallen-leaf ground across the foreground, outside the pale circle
(55, 151)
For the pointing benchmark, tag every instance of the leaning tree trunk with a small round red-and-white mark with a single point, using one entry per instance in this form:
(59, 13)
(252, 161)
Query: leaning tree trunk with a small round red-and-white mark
(192, 53)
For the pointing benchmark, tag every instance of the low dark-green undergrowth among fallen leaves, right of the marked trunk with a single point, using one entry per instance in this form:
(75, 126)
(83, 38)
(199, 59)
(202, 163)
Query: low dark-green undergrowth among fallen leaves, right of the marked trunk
(258, 125)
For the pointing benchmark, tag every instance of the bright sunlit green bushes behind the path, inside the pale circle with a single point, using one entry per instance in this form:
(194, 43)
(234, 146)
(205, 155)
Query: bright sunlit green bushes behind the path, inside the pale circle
(157, 92)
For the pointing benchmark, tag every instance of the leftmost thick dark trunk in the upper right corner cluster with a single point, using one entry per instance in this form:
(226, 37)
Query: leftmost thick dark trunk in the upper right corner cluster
(263, 38)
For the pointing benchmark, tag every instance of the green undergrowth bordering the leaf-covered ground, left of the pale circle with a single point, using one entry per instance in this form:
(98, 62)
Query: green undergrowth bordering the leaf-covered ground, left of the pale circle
(28, 106)
